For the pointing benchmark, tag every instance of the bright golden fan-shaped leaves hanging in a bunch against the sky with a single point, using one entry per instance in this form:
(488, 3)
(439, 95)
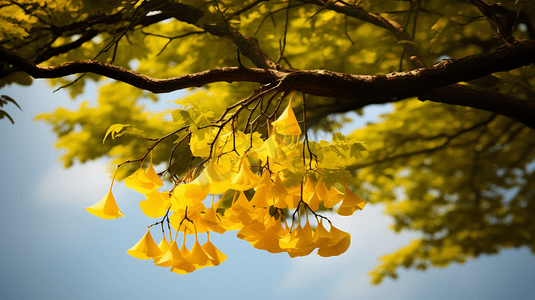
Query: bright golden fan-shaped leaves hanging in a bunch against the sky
(261, 220)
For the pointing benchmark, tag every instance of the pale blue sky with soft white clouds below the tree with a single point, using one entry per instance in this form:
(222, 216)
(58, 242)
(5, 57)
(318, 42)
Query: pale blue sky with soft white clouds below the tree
(53, 249)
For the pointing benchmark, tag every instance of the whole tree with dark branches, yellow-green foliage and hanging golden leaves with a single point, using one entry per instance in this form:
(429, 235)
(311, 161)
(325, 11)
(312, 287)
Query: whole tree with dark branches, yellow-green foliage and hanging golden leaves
(454, 160)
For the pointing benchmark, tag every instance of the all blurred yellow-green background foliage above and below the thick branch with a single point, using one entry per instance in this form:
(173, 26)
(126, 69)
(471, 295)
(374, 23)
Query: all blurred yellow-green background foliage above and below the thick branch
(461, 177)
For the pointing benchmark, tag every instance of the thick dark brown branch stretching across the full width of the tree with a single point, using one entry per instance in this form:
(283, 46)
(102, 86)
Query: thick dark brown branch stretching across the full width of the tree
(352, 91)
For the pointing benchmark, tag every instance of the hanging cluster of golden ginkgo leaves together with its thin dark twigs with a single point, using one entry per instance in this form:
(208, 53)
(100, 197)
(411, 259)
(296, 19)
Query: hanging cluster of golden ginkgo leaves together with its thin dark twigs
(269, 190)
